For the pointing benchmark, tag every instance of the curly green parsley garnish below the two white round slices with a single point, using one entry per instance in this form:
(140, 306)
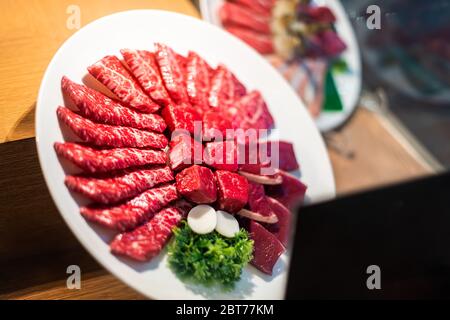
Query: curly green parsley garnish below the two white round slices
(210, 258)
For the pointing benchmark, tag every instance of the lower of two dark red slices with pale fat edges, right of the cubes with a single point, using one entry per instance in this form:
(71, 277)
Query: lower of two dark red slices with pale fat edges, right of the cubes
(259, 208)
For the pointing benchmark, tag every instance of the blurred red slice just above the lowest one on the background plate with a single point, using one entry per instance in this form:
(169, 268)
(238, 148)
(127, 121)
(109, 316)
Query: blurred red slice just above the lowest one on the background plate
(233, 14)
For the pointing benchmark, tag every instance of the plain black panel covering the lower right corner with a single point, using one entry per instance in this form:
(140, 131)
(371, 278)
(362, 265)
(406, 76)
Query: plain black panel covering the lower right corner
(404, 229)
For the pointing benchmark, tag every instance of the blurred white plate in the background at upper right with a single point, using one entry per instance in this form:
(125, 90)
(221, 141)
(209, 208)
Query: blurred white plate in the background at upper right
(348, 84)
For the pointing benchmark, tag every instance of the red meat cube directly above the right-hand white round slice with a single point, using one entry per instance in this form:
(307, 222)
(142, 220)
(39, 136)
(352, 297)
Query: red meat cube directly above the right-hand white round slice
(233, 191)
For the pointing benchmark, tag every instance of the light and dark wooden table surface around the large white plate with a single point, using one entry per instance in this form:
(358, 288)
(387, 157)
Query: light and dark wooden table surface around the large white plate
(35, 245)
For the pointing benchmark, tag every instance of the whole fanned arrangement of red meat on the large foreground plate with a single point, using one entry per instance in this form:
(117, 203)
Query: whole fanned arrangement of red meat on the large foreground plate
(143, 179)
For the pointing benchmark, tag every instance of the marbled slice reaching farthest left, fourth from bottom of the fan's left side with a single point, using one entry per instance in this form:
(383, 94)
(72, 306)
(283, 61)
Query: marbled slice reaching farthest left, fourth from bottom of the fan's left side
(94, 160)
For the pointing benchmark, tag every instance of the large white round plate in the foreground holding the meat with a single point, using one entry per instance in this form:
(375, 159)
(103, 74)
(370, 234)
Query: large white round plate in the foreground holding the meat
(140, 29)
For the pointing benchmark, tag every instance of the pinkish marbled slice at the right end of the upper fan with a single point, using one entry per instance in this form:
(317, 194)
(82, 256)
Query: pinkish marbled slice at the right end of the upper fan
(251, 112)
